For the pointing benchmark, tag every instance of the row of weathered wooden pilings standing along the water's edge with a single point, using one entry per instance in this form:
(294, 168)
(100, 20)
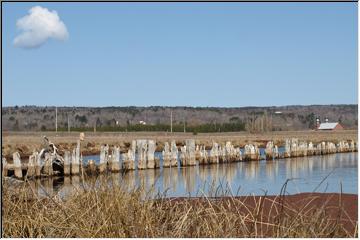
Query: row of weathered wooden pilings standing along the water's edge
(141, 155)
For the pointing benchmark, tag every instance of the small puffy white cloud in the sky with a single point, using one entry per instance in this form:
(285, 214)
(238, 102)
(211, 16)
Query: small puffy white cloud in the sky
(38, 26)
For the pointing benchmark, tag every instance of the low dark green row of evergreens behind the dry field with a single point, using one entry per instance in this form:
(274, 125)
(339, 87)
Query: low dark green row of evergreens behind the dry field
(203, 128)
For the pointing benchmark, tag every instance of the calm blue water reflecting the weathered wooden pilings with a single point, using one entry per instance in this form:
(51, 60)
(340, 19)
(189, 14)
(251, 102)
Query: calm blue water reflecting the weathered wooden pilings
(320, 173)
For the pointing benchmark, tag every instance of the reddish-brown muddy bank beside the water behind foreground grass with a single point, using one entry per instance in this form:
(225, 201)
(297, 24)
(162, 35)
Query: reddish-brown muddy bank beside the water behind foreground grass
(334, 208)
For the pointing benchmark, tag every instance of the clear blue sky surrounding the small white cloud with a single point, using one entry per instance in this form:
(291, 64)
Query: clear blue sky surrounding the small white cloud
(185, 54)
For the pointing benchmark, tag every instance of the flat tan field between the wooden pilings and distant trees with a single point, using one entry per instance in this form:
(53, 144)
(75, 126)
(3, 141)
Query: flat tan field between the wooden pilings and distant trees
(26, 142)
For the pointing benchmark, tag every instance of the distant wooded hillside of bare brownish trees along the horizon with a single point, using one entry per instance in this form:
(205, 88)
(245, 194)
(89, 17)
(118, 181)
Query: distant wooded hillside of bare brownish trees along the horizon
(33, 118)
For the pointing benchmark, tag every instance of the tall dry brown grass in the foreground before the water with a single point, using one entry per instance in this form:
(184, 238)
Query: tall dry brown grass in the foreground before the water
(112, 212)
